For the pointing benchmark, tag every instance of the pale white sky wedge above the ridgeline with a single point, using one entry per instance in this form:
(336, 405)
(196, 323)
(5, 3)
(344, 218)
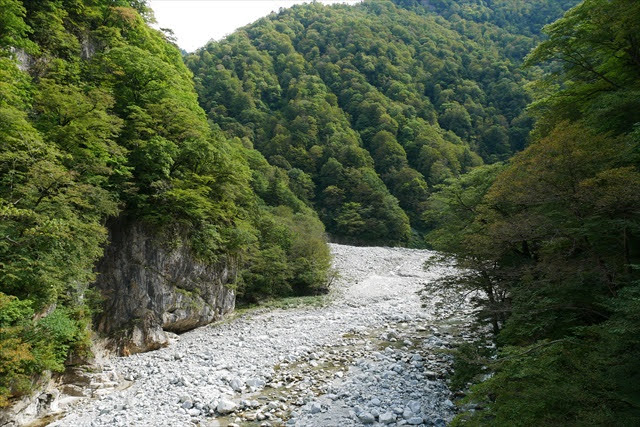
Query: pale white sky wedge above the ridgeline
(195, 22)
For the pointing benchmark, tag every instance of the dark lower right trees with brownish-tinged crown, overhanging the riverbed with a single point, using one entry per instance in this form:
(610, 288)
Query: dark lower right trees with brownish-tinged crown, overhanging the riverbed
(551, 244)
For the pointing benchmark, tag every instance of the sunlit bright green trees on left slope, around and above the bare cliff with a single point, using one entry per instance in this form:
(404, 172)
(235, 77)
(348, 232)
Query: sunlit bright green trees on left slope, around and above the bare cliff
(98, 119)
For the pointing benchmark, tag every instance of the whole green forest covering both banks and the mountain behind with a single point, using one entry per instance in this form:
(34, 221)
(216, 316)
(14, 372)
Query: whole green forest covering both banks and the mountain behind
(384, 122)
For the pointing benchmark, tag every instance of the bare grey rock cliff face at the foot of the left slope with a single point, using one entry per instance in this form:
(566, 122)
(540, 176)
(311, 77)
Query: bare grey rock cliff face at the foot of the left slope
(152, 288)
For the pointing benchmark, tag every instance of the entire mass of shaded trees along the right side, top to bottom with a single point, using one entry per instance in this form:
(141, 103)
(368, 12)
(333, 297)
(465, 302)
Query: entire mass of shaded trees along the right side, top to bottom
(553, 237)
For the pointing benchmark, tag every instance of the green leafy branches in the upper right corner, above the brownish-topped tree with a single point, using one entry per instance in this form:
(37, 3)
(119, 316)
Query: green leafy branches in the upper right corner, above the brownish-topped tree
(595, 47)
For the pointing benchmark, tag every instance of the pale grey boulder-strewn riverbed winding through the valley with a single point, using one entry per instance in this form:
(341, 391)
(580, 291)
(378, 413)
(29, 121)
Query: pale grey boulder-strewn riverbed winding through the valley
(372, 354)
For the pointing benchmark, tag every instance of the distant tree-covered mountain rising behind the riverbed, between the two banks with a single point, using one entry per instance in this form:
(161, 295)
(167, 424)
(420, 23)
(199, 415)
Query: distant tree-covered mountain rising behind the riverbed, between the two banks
(366, 108)
